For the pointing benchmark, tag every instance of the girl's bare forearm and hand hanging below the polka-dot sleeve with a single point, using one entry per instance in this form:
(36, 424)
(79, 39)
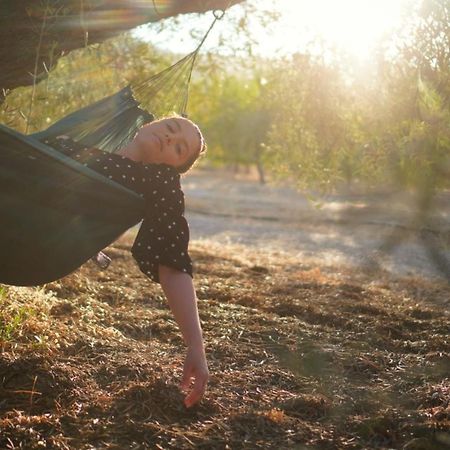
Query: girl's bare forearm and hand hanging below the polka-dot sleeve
(180, 293)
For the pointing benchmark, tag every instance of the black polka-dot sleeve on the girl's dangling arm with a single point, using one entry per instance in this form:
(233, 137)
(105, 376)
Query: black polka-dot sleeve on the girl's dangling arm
(163, 237)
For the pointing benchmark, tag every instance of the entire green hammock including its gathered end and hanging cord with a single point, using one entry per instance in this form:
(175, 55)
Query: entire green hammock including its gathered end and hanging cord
(56, 213)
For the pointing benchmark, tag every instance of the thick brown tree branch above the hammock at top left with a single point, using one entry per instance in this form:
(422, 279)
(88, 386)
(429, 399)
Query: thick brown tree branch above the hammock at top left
(72, 23)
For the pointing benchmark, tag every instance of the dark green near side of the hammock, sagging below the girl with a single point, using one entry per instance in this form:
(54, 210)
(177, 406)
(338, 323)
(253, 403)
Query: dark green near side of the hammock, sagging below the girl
(56, 213)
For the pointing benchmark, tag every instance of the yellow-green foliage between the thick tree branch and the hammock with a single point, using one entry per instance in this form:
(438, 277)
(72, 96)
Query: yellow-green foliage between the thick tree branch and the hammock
(79, 79)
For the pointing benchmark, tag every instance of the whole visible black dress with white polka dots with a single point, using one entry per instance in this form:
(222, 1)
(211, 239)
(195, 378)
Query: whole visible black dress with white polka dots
(163, 237)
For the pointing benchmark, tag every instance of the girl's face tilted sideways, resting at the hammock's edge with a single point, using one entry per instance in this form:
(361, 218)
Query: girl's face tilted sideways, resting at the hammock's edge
(170, 141)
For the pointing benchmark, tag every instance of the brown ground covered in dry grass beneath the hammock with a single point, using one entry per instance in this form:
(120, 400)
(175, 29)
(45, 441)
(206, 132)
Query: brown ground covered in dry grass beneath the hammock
(301, 354)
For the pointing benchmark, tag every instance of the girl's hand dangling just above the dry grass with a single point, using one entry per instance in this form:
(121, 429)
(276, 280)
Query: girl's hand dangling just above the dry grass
(195, 370)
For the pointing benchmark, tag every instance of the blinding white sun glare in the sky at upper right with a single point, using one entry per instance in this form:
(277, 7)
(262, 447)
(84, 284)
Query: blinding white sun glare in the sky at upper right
(353, 26)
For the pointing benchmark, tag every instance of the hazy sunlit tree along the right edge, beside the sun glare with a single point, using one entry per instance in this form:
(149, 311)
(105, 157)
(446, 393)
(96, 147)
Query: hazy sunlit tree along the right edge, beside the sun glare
(417, 112)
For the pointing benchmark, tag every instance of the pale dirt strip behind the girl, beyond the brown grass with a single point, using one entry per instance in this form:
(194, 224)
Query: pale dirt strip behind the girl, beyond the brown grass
(349, 229)
